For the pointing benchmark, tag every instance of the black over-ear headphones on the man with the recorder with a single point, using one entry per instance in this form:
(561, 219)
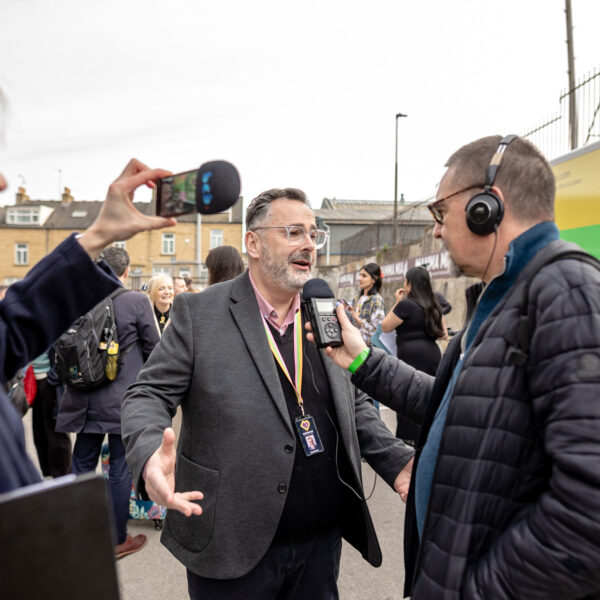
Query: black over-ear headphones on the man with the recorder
(485, 210)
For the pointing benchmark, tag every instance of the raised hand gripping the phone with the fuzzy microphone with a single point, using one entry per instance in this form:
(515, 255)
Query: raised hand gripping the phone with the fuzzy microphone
(118, 219)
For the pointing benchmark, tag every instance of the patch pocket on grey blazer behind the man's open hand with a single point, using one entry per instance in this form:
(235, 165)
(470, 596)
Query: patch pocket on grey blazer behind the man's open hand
(194, 533)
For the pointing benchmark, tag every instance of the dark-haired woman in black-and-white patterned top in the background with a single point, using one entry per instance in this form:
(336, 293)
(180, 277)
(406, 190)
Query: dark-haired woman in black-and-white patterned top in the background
(368, 310)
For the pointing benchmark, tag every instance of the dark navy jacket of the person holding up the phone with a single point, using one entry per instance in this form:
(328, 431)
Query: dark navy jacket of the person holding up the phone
(36, 311)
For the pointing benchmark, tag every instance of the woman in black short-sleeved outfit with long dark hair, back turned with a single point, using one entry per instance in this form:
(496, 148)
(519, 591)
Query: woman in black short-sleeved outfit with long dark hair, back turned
(418, 321)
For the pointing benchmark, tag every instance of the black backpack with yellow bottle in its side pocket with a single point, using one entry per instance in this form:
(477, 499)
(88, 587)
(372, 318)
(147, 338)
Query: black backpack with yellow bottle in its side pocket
(87, 354)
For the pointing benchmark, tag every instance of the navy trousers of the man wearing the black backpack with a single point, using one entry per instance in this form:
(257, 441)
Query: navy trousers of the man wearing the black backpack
(86, 453)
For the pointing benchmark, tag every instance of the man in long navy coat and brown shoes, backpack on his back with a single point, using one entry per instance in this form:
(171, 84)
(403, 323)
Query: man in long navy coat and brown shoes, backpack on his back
(92, 414)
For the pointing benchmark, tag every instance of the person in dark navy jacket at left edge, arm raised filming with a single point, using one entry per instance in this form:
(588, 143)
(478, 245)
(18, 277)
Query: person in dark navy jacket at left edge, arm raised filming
(62, 286)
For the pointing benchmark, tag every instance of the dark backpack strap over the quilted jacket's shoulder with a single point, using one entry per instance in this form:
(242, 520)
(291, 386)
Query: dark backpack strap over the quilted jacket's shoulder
(519, 337)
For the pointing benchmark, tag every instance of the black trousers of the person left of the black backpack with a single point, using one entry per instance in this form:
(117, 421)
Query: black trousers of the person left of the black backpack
(53, 448)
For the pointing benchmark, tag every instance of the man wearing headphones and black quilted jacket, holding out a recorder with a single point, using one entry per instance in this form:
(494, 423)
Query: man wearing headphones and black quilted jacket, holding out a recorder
(505, 494)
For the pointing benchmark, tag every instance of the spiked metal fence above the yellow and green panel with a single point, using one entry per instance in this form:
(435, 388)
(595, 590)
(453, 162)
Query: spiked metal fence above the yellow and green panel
(552, 135)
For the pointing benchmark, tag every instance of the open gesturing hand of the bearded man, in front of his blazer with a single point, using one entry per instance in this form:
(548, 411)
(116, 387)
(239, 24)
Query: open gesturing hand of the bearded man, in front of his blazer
(160, 479)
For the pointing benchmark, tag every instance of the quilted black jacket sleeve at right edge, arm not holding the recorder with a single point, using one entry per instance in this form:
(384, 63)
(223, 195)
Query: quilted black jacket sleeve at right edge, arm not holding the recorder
(552, 550)
